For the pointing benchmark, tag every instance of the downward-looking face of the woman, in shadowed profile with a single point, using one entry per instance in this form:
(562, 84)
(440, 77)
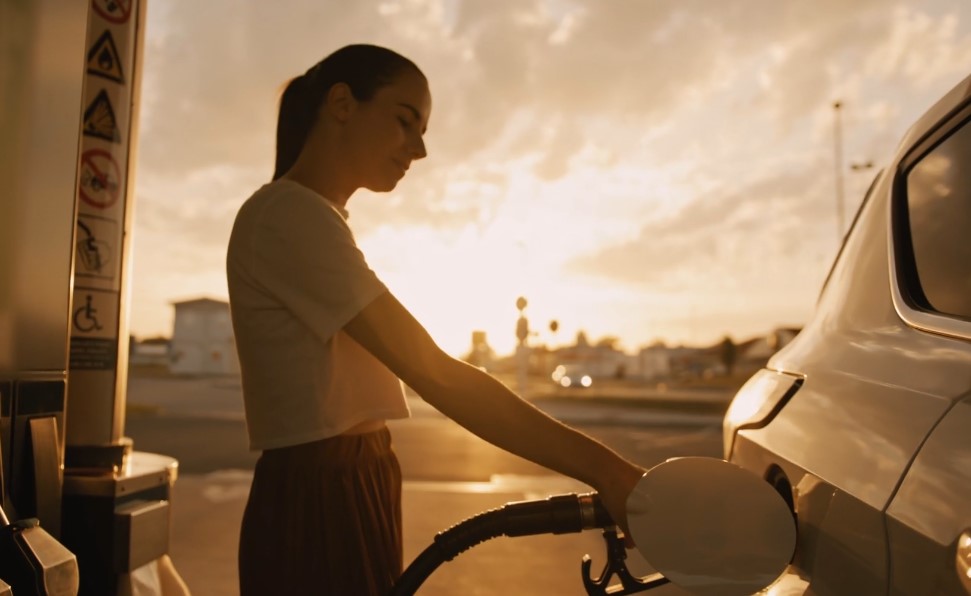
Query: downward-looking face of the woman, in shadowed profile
(384, 134)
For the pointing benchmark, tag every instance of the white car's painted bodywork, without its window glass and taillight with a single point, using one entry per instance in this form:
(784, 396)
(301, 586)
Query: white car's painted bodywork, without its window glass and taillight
(874, 448)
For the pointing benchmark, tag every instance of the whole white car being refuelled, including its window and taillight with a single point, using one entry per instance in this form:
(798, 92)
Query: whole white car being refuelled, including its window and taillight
(863, 421)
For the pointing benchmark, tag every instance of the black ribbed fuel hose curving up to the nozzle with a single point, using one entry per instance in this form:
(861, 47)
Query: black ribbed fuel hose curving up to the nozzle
(559, 514)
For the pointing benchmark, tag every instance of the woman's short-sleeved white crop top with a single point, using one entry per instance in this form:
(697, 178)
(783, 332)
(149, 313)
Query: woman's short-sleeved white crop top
(296, 277)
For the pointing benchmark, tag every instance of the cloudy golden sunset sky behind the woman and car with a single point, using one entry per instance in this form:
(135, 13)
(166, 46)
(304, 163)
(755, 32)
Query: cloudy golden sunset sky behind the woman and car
(646, 170)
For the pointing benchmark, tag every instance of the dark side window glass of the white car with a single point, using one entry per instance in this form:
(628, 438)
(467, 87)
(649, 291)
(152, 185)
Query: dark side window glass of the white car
(939, 216)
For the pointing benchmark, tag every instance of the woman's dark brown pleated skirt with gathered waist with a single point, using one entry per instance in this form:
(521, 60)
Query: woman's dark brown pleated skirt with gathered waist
(323, 518)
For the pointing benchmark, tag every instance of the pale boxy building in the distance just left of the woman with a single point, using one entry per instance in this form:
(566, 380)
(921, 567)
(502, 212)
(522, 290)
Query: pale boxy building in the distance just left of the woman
(202, 339)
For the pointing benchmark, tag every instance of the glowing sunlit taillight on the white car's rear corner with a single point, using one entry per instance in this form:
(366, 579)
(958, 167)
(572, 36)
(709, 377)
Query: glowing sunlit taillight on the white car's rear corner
(757, 402)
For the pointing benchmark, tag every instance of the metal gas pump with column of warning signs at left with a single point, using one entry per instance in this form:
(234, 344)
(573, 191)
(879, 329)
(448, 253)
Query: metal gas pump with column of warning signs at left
(80, 510)
